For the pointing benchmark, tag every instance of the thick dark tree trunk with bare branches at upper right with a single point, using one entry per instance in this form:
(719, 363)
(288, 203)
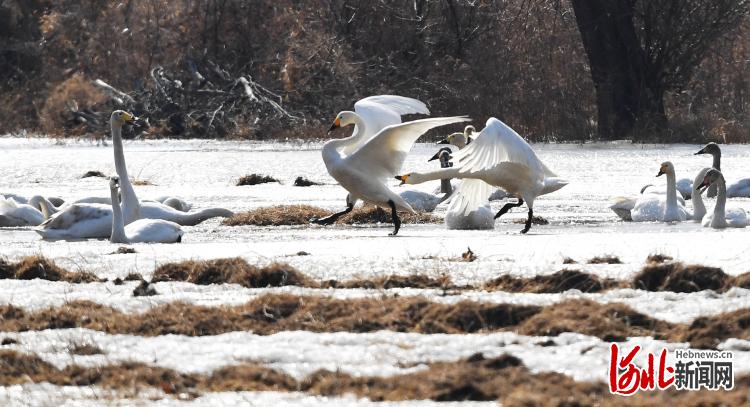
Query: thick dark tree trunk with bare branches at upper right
(639, 49)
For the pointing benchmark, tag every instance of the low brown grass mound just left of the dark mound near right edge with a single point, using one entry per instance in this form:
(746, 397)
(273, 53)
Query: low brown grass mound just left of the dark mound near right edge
(558, 282)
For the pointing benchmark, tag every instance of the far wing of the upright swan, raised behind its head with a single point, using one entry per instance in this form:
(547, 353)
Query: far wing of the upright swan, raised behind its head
(381, 111)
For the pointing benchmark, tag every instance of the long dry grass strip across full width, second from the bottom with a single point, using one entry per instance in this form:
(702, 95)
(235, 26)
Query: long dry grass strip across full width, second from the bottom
(270, 314)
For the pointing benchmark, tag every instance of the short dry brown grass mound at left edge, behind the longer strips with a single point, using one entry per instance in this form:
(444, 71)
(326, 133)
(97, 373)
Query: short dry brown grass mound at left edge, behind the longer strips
(31, 267)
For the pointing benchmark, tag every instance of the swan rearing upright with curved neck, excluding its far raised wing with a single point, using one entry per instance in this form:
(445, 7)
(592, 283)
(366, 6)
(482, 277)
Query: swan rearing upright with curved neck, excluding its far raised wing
(363, 172)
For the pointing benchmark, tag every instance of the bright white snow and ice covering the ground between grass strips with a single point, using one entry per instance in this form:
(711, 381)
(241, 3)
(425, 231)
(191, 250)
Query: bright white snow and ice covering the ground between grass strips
(204, 173)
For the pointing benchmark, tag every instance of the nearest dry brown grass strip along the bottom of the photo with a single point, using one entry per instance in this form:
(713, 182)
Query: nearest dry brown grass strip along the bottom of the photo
(475, 378)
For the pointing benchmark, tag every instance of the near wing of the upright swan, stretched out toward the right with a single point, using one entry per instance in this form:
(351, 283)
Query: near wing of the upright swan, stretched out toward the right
(383, 155)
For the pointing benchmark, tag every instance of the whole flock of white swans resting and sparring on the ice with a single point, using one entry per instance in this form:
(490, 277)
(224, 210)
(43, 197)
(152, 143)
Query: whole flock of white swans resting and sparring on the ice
(494, 164)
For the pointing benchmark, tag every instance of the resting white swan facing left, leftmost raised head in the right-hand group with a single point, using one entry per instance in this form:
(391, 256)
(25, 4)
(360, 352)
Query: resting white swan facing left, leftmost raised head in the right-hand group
(664, 208)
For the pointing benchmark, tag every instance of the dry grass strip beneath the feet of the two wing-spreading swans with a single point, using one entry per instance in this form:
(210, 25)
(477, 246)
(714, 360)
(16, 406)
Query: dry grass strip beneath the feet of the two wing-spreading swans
(281, 215)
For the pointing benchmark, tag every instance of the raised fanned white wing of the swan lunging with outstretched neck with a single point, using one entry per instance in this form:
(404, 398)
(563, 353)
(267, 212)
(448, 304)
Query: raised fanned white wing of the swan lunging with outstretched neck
(497, 143)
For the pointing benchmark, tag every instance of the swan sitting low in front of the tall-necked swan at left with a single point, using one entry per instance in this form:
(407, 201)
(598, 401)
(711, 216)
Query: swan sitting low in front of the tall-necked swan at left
(141, 230)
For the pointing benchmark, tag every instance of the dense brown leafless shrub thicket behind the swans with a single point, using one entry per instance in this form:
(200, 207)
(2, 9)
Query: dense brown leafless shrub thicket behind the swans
(283, 68)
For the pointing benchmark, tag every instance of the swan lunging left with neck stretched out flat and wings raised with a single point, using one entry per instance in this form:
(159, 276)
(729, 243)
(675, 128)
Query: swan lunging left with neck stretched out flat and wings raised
(501, 158)
